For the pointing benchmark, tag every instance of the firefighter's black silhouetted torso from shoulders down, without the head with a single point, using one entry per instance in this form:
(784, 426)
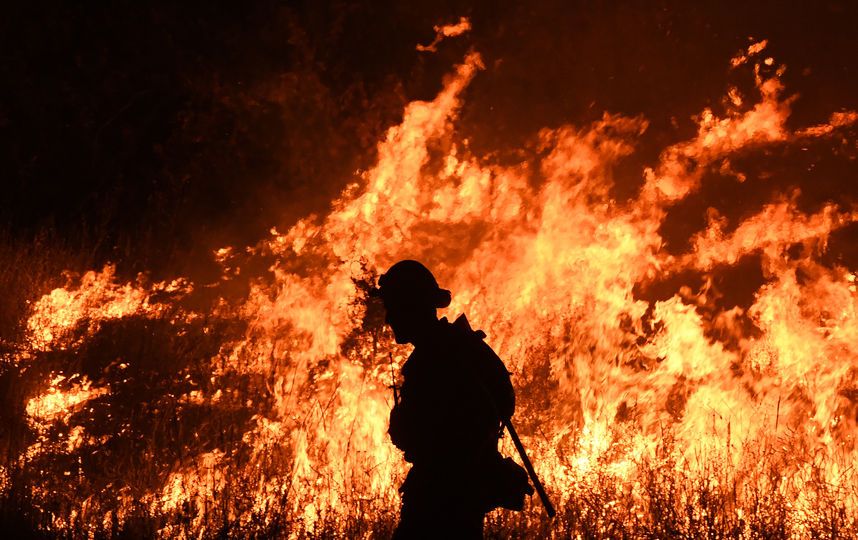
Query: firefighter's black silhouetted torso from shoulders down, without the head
(455, 390)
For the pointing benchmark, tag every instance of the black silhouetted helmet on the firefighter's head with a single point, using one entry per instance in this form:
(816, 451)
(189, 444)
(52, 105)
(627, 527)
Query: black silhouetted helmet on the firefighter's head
(412, 283)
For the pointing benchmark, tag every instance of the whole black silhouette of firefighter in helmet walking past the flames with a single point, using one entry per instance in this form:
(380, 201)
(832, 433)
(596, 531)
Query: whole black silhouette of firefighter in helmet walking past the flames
(455, 391)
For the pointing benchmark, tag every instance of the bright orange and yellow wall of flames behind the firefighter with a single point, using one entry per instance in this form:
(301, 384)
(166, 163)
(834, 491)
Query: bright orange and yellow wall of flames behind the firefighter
(617, 394)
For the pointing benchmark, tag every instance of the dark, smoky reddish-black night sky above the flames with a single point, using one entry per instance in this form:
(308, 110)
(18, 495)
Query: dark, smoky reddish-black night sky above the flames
(149, 133)
